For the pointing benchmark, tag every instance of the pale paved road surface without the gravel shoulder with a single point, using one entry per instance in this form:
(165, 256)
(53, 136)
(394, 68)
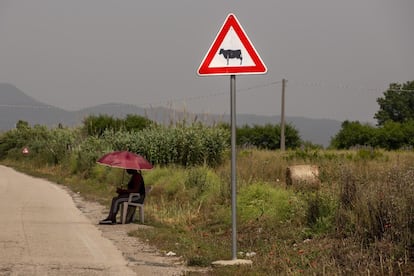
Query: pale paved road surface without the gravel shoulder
(43, 233)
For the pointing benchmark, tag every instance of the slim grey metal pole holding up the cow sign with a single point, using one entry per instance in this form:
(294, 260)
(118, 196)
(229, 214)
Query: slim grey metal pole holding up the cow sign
(233, 163)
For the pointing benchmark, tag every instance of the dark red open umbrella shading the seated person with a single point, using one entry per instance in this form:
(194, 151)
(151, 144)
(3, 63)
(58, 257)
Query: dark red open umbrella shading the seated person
(125, 160)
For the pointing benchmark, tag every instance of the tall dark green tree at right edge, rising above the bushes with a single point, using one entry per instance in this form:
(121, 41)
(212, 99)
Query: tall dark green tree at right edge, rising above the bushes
(397, 105)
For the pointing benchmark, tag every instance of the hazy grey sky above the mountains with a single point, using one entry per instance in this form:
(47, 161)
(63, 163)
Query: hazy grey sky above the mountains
(338, 56)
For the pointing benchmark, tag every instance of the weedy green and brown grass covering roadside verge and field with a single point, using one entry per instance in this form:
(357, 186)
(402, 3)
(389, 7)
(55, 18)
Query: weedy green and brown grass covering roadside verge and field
(361, 220)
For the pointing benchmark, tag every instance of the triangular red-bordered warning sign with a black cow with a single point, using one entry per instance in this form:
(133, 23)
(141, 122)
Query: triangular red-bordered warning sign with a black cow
(231, 53)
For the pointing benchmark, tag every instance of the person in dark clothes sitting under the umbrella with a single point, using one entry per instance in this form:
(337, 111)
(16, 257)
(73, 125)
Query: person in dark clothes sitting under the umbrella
(135, 185)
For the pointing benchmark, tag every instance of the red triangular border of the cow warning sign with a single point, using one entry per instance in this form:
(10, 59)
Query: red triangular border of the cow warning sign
(259, 68)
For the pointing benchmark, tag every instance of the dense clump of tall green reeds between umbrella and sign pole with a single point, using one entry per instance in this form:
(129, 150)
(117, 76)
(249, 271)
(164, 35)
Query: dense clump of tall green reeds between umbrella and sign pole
(182, 145)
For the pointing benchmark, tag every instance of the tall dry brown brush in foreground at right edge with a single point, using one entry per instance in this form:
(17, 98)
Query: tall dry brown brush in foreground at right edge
(373, 210)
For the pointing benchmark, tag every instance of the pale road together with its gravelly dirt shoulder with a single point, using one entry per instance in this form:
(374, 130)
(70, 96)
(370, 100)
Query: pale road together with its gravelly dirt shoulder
(46, 229)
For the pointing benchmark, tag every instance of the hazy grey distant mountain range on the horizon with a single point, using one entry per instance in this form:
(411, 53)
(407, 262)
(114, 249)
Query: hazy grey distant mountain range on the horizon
(15, 105)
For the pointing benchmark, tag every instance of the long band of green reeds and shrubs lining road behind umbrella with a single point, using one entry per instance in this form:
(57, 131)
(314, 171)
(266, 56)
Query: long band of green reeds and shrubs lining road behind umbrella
(182, 145)
